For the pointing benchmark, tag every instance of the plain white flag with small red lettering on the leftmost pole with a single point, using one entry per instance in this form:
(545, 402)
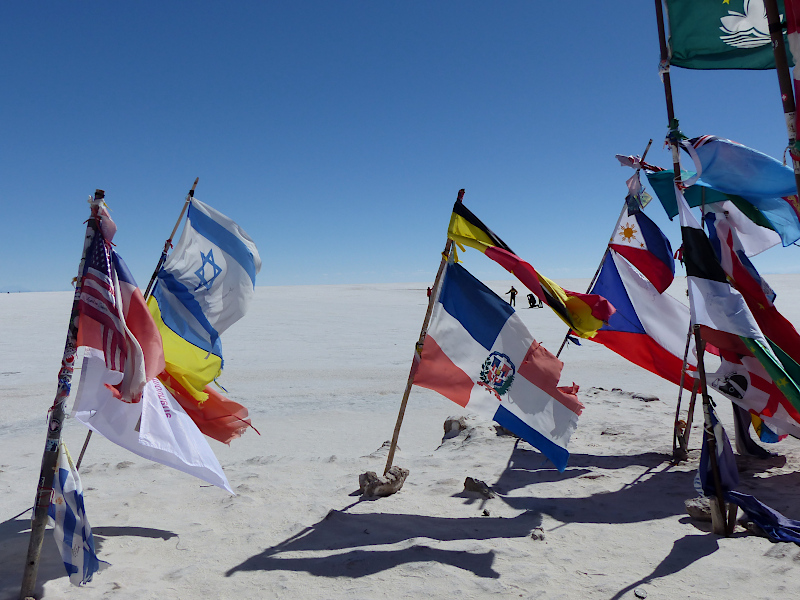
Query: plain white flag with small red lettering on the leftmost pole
(157, 428)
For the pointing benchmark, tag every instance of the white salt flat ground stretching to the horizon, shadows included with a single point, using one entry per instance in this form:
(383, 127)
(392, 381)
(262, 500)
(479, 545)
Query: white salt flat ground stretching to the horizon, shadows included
(322, 370)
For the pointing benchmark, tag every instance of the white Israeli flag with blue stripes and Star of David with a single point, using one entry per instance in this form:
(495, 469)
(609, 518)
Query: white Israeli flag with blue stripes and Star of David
(207, 282)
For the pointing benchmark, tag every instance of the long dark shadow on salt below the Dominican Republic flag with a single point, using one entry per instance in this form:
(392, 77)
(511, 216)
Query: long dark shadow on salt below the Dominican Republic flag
(341, 530)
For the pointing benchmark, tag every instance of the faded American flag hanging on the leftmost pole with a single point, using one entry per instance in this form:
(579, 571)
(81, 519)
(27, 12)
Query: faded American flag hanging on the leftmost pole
(99, 310)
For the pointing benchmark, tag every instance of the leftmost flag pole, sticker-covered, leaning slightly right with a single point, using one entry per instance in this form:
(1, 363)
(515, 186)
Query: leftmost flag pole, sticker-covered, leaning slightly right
(56, 420)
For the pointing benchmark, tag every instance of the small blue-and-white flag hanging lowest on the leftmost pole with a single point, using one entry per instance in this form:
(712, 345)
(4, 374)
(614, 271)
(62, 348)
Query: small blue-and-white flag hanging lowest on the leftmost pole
(71, 528)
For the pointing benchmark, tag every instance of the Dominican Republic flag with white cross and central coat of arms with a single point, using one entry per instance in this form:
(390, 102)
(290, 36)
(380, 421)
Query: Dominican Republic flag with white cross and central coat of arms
(480, 355)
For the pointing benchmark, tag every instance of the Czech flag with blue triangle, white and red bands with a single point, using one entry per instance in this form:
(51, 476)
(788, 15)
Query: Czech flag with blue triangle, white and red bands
(649, 329)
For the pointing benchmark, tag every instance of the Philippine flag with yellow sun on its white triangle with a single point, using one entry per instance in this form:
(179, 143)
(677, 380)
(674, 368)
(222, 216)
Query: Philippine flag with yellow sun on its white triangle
(640, 240)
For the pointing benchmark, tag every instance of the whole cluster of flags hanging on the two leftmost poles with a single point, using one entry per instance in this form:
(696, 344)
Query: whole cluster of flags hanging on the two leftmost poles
(147, 366)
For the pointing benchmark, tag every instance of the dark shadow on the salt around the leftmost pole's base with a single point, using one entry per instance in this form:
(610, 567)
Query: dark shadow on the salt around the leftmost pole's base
(14, 540)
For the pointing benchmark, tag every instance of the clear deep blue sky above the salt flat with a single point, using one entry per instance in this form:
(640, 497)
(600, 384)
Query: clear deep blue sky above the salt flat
(338, 133)
